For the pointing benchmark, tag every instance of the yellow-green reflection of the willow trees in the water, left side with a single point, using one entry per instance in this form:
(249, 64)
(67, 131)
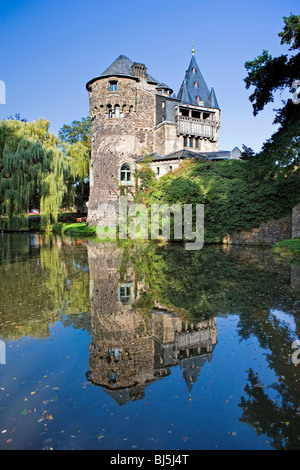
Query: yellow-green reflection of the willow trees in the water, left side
(42, 280)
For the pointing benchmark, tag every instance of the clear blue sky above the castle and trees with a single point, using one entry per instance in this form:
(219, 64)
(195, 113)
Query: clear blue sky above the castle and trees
(51, 49)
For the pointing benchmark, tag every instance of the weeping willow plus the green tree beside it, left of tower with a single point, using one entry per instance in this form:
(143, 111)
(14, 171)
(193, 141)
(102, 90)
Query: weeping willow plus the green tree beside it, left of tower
(39, 171)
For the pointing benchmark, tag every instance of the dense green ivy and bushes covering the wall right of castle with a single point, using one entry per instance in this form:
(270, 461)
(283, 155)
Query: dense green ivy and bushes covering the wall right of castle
(237, 194)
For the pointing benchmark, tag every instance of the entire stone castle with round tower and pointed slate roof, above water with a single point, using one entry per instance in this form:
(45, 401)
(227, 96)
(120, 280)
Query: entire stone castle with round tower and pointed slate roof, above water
(133, 114)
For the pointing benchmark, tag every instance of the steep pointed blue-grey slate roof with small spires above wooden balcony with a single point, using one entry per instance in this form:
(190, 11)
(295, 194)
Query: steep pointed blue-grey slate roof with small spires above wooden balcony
(194, 88)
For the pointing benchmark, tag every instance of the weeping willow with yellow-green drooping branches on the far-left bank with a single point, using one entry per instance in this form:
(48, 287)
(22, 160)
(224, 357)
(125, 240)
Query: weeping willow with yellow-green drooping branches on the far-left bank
(33, 170)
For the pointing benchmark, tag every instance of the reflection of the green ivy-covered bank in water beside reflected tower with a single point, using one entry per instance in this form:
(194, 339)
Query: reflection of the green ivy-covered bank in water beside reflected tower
(208, 281)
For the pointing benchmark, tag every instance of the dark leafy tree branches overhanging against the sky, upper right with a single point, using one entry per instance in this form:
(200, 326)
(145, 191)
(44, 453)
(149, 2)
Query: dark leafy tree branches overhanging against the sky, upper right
(269, 75)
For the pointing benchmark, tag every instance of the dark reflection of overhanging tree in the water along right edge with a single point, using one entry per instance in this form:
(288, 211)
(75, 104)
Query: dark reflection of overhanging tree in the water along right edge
(277, 417)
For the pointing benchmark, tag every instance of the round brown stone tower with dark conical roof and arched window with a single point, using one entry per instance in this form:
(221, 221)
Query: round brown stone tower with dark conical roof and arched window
(122, 111)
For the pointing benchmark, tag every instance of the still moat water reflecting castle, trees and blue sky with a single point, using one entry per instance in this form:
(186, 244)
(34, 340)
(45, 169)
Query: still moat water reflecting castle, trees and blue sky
(131, 346)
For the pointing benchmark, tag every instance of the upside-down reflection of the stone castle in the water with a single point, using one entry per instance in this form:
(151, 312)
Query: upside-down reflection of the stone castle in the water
(130, 351)
